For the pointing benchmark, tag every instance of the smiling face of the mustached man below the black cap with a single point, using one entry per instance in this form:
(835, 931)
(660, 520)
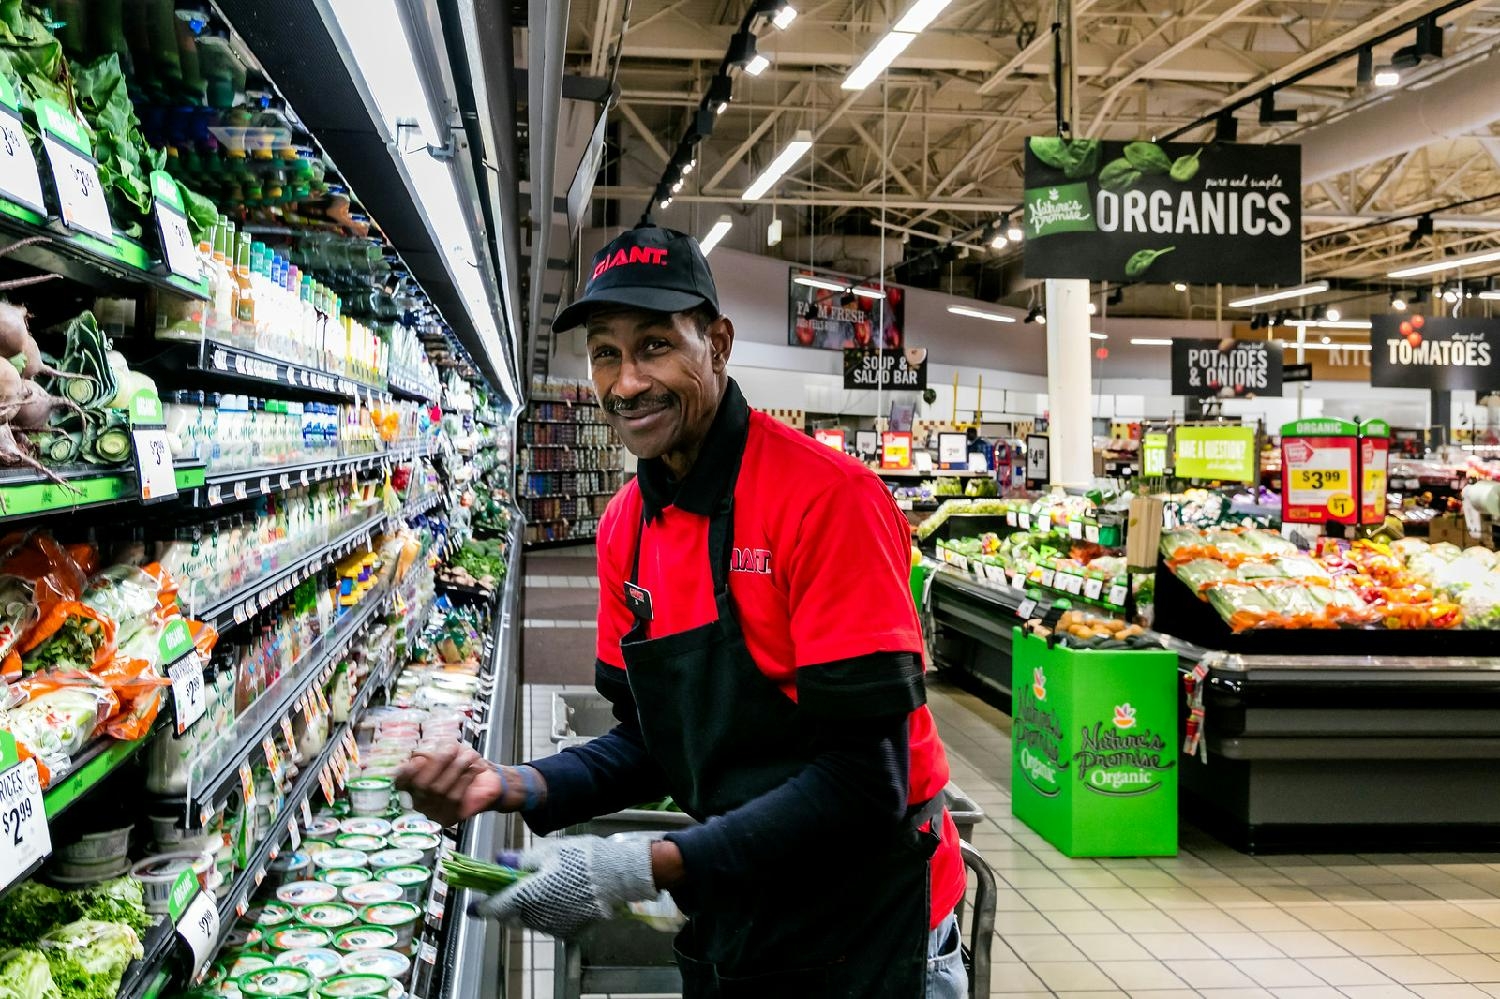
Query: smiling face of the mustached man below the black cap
(658, 377)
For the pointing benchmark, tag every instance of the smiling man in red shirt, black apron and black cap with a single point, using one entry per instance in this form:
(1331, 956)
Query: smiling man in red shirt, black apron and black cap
(758, 641)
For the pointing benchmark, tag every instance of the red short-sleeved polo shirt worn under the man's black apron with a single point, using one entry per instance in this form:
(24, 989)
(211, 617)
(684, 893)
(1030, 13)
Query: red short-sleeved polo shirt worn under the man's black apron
(820, 577)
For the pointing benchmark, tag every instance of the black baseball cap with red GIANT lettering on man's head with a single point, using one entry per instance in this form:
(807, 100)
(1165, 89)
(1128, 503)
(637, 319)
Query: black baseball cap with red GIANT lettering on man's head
(647, 268)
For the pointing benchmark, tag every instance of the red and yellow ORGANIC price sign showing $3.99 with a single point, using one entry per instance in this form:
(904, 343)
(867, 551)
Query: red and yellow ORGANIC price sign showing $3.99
(1321, 467)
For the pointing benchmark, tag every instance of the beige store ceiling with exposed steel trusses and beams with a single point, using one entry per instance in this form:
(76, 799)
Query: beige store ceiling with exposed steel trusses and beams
(938, 148)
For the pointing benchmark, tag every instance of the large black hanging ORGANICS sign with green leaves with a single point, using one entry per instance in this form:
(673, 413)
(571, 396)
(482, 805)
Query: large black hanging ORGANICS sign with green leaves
(1163, 212)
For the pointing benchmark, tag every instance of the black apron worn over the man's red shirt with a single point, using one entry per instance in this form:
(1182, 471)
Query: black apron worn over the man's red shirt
(725, 734)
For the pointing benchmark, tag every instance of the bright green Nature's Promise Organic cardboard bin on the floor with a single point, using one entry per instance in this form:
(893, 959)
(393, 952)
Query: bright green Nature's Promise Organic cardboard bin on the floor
(1096, 748)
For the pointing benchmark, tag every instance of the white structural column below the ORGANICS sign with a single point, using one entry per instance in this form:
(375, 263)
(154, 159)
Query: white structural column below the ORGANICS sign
(1069, 383)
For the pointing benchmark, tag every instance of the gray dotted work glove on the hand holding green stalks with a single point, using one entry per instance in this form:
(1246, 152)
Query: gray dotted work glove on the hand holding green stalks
(575, 883)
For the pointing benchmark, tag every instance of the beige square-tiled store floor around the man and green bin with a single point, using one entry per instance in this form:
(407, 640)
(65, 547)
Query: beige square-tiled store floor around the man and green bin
(1210, 922)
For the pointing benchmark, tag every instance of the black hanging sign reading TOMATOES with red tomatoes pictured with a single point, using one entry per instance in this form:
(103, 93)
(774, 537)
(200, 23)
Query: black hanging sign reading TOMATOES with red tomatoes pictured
(1417, 352)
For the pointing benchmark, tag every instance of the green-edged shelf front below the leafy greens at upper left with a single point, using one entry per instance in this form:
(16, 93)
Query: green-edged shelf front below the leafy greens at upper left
(119, 268)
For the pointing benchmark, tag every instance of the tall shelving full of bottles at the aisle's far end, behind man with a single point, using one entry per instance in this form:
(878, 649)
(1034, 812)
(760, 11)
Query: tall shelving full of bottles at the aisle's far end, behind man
(568, 467)
